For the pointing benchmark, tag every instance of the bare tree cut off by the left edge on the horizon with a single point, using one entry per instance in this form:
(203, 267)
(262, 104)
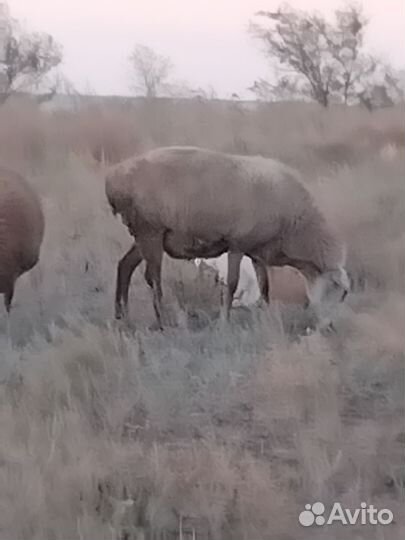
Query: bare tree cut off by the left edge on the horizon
(27, 59)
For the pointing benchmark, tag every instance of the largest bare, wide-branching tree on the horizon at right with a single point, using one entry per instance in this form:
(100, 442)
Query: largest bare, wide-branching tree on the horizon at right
(316, 58)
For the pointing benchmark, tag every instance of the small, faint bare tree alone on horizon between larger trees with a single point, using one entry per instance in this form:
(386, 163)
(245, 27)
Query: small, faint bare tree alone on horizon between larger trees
(151, 71)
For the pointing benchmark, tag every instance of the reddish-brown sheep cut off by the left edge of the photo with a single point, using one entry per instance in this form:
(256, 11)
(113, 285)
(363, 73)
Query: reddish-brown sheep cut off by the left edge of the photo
(21, 231)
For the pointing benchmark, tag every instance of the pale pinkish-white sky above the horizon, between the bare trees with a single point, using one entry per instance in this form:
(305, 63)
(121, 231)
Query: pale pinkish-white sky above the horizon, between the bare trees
(207, 40)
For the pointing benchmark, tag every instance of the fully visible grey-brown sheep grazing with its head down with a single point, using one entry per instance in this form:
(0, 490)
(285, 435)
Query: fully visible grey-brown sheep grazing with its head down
(195, 203)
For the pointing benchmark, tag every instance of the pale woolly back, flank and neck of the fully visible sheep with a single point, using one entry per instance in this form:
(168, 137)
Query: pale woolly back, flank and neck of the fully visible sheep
(249, 201)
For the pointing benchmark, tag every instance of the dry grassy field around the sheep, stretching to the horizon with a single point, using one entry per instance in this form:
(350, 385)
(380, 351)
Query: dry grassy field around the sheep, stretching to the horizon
(206, 430)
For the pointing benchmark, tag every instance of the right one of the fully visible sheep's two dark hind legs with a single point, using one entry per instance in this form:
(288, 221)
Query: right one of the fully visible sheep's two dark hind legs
(152, 252)
